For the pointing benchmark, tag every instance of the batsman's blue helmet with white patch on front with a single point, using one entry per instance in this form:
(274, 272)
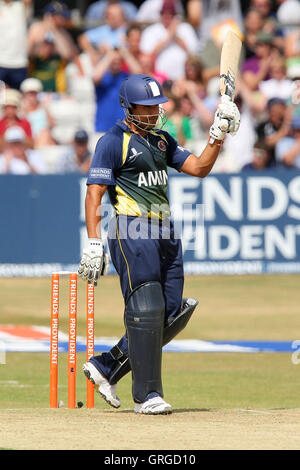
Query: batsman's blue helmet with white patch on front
(140, 89)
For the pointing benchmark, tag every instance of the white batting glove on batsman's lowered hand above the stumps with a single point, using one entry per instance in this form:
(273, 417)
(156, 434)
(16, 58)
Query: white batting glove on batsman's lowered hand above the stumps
(94, 261)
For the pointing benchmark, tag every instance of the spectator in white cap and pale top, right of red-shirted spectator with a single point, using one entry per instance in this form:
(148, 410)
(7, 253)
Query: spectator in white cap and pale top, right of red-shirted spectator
(39, 117)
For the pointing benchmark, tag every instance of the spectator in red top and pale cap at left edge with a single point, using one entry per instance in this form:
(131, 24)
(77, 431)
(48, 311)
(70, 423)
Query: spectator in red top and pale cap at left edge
(11, 118)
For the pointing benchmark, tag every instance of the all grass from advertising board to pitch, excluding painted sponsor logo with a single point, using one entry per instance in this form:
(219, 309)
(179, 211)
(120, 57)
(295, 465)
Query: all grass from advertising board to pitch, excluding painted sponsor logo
(231, 308)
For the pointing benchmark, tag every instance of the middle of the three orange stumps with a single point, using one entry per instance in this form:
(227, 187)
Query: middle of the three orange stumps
(72, 360)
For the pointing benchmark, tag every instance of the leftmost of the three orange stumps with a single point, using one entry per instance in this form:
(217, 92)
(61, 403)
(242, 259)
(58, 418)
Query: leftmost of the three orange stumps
(54, 339)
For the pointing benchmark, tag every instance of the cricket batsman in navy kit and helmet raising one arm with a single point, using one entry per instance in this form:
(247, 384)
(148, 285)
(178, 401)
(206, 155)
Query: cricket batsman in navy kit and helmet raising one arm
(130, 162)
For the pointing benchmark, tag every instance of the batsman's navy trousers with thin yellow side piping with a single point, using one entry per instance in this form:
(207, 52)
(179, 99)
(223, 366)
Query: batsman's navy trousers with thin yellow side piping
(144, 250)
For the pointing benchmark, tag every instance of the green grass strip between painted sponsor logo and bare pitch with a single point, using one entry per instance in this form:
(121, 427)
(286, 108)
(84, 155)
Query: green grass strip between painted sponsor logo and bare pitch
(191, 382)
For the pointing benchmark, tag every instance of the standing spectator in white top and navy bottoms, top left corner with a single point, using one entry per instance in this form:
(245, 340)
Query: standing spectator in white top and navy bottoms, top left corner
(13, 37)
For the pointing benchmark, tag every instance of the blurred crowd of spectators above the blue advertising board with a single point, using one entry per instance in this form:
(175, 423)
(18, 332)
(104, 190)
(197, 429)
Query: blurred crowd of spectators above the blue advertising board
(60, 74)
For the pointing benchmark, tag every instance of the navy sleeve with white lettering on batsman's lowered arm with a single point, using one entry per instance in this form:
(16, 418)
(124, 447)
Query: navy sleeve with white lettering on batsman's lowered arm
(106, 161)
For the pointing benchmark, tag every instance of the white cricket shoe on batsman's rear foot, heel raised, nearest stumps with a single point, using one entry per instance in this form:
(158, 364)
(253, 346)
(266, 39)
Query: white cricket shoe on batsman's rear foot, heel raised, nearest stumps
(107, 391)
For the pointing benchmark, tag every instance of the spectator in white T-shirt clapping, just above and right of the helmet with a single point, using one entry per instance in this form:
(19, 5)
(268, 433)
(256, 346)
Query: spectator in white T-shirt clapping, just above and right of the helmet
(170, 41)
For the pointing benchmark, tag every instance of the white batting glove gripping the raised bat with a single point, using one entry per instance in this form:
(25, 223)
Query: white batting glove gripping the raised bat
(226, 121)
